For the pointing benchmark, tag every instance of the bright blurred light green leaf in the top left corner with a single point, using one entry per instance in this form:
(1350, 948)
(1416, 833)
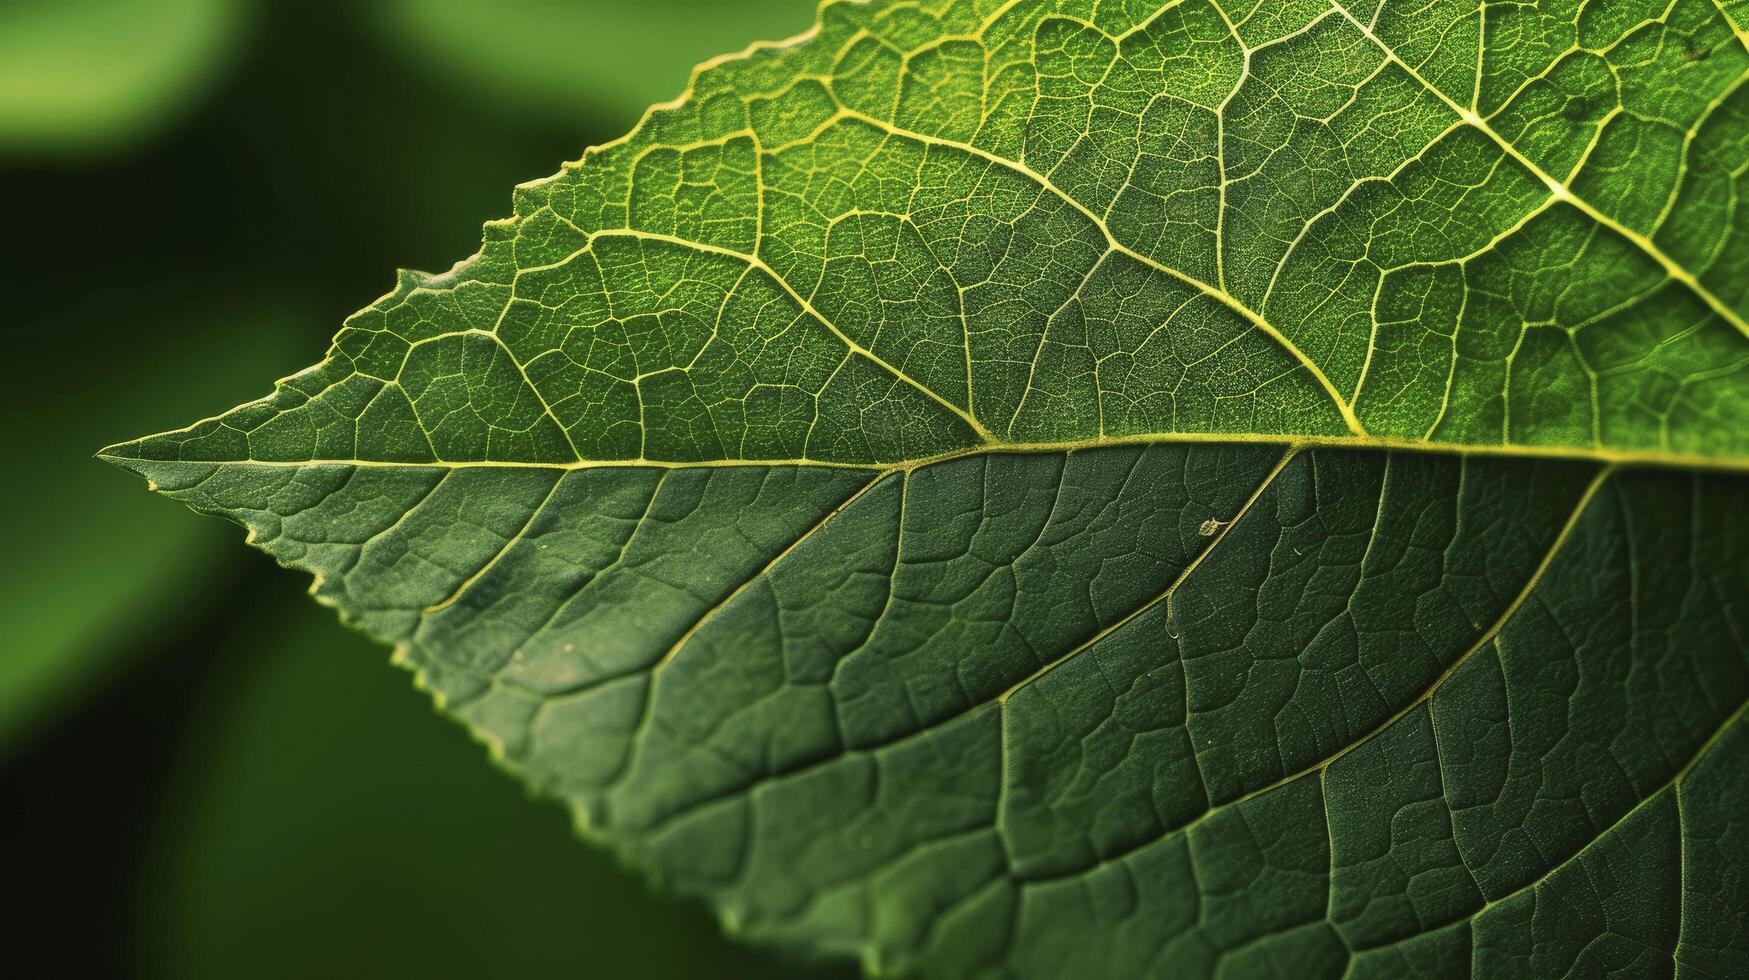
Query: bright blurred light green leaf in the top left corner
(80, 76)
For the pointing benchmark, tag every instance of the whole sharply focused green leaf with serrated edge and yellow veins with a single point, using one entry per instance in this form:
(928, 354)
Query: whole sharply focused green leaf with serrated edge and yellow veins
(1097, 489)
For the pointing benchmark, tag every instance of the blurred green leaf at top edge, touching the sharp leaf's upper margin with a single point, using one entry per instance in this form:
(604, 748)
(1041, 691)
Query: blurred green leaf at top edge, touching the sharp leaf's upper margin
(582, 57)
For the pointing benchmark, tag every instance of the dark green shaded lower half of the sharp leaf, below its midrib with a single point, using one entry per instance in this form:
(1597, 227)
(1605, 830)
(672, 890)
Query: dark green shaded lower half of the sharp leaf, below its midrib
(1159, 710)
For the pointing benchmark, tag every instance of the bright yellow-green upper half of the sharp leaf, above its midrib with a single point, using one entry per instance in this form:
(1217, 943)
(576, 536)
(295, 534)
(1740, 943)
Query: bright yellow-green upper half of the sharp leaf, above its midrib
(947, 225)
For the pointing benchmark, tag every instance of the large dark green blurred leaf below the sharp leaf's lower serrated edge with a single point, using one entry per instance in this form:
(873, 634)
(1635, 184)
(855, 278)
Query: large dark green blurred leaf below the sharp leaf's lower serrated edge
(316, 799)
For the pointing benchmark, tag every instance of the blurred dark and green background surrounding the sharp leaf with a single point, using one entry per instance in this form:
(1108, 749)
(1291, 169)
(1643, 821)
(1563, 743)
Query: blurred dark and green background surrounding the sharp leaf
(200, 773)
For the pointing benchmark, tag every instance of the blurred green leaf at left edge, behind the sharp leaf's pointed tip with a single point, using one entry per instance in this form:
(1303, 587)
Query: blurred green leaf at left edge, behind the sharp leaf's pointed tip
(88, 570)
